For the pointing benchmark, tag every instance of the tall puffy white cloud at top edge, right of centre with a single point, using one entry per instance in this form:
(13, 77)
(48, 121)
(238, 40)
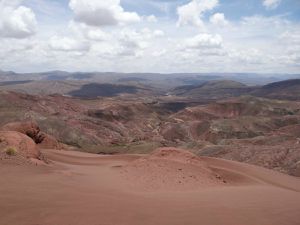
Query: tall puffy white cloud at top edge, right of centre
(192, 13)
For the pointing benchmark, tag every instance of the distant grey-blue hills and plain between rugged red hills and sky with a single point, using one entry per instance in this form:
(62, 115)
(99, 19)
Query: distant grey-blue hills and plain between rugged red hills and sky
(193, 86)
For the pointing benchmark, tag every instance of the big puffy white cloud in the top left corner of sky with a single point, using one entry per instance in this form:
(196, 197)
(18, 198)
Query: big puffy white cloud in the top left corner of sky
(16, 21)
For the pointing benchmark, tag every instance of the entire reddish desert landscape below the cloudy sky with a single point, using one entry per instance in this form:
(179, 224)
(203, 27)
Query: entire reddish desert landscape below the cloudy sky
(81, 151)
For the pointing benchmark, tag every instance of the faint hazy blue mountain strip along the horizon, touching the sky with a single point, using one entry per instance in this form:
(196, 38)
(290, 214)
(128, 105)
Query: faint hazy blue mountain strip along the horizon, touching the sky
(163, 80)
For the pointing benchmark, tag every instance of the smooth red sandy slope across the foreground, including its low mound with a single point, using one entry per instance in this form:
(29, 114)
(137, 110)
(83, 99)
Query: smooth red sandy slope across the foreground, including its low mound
(85, 189)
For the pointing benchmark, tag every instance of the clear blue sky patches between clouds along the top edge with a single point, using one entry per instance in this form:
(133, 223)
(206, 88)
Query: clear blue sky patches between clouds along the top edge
(234, 9)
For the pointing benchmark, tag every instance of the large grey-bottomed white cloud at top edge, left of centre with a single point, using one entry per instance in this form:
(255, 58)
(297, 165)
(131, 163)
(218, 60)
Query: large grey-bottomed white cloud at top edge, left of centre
(102, 13)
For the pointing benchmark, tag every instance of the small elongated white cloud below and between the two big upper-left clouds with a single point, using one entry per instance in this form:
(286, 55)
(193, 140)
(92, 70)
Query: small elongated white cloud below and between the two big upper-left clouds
(68, 44)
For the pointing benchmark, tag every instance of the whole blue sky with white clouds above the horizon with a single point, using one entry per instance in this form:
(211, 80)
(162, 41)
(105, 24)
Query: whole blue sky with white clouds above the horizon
(166, 36)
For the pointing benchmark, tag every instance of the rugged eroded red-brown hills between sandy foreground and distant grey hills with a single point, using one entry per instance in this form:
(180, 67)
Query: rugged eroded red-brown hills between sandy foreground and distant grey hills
(267, 130)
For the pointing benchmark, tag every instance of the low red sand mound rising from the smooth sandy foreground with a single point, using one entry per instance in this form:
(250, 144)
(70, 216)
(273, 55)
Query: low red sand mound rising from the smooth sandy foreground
(170, 169)
